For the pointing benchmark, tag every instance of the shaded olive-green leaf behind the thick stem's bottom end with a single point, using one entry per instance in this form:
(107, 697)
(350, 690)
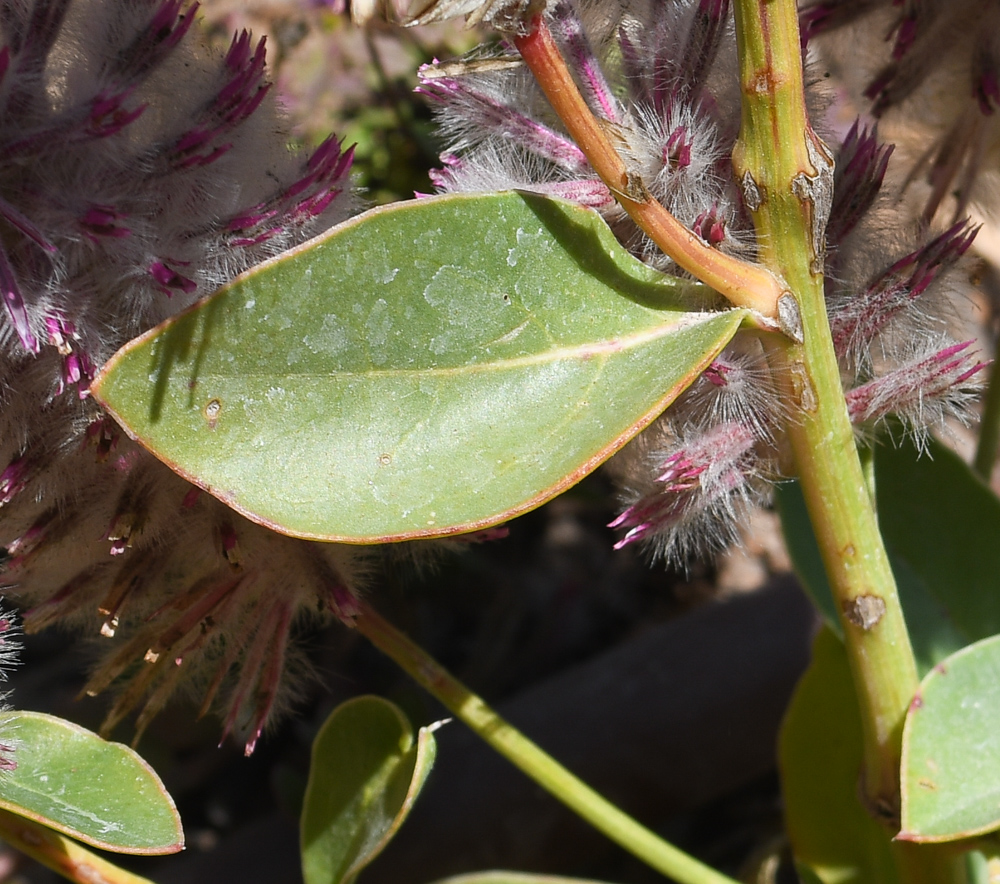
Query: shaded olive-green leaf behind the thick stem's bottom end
(819, 753)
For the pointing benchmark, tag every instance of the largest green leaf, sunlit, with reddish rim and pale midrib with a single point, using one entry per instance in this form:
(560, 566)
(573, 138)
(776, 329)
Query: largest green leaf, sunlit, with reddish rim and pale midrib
(426, 368)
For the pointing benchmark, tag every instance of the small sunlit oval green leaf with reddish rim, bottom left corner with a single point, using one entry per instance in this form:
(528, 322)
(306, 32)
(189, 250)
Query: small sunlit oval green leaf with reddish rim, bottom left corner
(100, 793)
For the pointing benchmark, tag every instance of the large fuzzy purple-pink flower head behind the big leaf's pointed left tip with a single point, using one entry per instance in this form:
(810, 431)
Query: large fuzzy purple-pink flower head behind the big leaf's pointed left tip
(140, 171)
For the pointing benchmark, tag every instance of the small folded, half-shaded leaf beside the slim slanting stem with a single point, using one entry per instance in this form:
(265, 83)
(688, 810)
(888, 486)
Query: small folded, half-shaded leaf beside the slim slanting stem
(365, 776)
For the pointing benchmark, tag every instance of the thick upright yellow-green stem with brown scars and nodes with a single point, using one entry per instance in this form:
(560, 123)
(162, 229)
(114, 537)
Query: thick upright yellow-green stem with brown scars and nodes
(786, 174)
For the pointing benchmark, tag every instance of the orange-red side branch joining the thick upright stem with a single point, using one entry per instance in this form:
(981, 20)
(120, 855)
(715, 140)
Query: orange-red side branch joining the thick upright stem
(744, 284)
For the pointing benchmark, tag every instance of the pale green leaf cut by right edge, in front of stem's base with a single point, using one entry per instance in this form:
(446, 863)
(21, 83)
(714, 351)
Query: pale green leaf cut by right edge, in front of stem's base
(951, 750)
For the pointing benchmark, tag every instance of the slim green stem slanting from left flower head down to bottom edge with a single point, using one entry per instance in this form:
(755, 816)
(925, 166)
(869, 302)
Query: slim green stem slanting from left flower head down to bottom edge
(524, 754)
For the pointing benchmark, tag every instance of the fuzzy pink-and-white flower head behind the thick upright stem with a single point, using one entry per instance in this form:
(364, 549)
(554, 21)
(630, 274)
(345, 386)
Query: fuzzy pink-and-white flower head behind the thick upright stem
(662, 77)
